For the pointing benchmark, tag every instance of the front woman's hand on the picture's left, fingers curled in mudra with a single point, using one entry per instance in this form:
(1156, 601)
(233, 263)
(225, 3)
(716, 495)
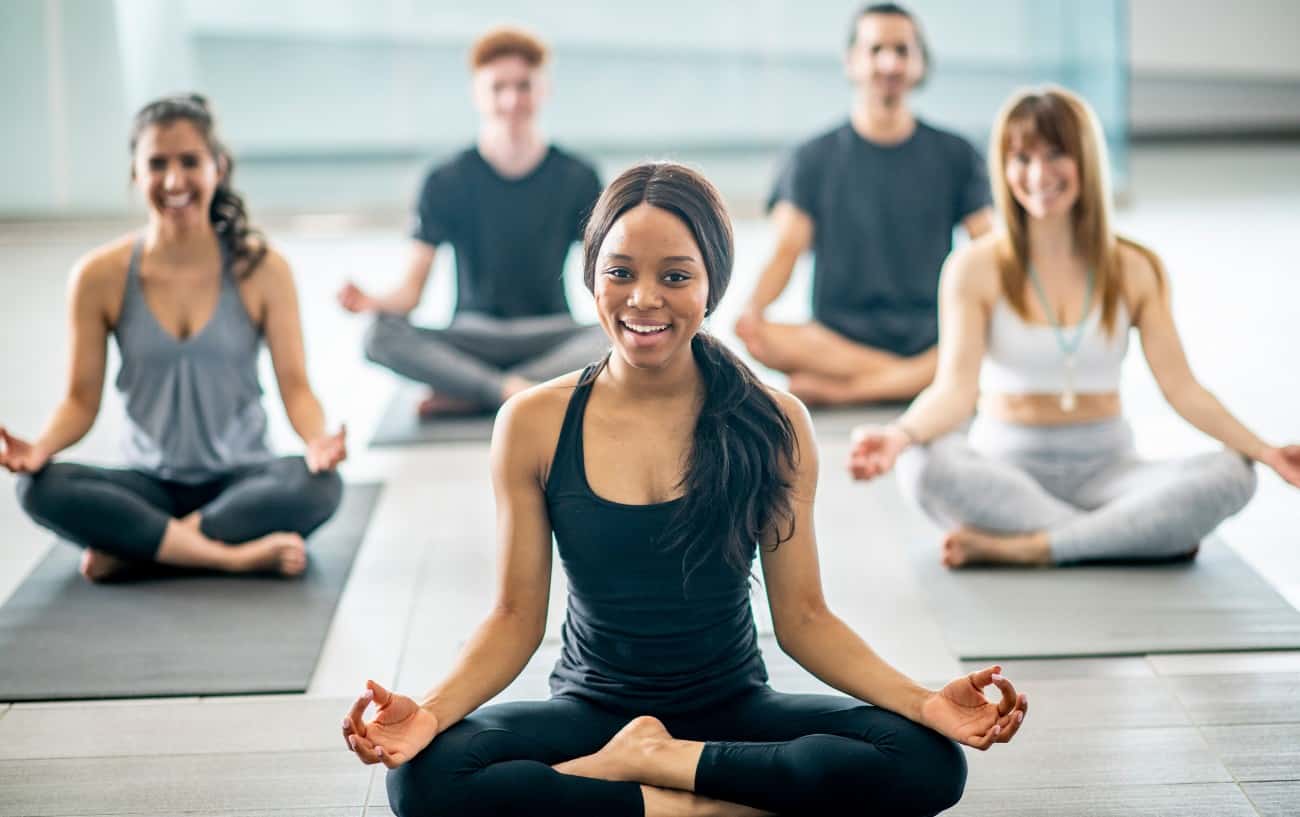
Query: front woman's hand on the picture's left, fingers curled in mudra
(400, 732)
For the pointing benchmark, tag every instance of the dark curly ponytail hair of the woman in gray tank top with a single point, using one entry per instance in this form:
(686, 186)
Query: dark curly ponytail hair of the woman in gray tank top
(242, 243)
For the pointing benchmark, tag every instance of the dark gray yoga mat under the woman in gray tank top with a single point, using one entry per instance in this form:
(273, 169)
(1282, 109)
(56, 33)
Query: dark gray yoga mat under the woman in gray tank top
(64, 638)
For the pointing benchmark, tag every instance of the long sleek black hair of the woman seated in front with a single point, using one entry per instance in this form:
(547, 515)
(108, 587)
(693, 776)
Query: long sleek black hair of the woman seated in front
(738, 483)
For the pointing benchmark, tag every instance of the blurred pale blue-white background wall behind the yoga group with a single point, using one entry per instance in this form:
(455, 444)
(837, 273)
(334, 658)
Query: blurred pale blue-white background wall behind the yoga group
(339, 106)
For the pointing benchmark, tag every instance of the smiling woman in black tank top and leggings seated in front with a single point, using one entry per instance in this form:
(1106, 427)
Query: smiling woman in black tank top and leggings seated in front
(662, 473)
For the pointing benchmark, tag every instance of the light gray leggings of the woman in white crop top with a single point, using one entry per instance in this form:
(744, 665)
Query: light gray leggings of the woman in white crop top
(1084, 485)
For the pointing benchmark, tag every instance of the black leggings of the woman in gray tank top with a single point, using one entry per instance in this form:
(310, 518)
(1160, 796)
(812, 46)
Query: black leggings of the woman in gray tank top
(125, 513)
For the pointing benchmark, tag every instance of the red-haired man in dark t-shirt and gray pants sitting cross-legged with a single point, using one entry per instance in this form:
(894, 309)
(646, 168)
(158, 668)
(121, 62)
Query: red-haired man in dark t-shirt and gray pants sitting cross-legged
(512, 208)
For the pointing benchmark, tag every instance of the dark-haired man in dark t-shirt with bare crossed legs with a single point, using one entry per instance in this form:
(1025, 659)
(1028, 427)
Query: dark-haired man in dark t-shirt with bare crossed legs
(877, 200)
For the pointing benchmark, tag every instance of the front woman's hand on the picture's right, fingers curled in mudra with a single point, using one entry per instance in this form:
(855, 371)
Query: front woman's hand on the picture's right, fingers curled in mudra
(961, 712)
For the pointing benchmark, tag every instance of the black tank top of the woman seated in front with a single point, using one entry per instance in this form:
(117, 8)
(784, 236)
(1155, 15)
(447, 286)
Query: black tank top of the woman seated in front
(634, 639)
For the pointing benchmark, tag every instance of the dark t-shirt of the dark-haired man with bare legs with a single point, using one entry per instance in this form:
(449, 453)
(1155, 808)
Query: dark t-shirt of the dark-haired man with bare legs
(883, 224)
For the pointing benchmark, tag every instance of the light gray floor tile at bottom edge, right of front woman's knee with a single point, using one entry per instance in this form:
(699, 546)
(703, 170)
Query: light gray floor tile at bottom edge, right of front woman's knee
(1188, 801)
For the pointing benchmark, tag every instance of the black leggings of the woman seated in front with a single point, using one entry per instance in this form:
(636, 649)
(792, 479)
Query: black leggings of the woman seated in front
(787, 754)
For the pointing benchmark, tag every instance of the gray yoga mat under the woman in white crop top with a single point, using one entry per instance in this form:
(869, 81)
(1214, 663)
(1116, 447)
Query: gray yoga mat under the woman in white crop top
(1215, 603)
